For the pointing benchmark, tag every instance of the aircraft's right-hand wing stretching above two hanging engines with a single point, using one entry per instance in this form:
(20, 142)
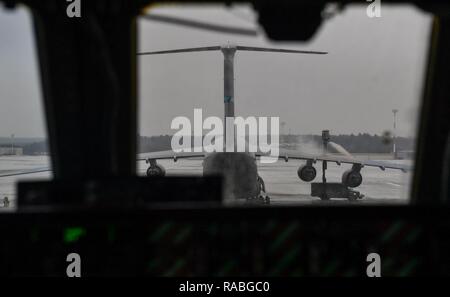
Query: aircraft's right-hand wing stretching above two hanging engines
(292, 154)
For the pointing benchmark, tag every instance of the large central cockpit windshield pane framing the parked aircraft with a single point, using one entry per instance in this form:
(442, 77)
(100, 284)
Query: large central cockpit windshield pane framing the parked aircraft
(365, 91)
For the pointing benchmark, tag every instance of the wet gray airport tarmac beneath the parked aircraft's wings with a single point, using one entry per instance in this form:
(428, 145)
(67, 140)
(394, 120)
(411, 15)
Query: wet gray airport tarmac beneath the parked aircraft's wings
(282, 183)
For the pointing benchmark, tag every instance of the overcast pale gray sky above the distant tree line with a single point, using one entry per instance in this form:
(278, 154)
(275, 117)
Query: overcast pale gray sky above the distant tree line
(373, 66)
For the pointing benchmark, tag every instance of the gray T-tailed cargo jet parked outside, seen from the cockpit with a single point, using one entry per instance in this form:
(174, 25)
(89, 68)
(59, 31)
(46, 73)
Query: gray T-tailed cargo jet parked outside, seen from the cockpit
(239, 169)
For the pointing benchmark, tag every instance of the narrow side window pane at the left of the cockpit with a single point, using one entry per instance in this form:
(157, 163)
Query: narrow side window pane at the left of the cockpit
(23, 141)
